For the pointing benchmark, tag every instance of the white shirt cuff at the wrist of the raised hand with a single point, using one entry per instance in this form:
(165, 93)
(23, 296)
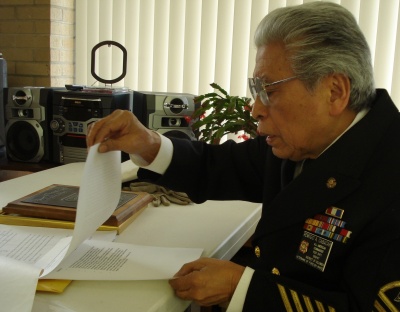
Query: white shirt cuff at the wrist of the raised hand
(162, 160)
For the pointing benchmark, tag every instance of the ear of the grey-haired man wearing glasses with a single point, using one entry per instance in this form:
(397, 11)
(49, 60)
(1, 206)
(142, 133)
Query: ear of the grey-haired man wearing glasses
(339, 93)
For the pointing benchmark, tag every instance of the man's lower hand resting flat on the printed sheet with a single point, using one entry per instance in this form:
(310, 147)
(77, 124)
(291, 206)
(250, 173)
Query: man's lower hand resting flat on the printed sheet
(207, 281)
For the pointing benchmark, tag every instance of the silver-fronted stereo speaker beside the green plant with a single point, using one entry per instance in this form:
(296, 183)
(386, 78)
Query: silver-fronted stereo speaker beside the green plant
(166, 113)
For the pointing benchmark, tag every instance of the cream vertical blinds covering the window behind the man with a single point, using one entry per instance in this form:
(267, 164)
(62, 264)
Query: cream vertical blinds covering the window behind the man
(184, 45)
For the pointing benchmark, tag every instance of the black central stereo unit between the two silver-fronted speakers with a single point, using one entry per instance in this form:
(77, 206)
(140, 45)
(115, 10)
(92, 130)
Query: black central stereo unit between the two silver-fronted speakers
(73, 111)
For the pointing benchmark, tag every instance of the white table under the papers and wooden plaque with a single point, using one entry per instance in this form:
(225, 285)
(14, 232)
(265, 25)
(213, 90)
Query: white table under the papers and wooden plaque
(220, 228)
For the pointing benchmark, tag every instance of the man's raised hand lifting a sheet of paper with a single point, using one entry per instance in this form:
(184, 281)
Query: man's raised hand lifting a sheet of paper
(121, 130)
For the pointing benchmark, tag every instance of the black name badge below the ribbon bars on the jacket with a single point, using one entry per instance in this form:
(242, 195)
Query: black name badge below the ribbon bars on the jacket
(314, 250)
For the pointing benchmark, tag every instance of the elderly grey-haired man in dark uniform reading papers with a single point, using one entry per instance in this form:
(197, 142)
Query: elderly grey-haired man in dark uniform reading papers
(325, 166)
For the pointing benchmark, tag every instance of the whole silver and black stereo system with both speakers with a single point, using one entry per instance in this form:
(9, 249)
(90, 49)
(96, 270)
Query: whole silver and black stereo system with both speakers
(50, 124)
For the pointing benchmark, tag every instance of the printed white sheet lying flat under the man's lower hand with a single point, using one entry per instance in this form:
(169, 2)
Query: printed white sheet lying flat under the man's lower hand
(98, 260)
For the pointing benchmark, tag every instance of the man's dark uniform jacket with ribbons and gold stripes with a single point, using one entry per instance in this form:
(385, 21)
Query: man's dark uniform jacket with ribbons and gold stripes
(328, 240)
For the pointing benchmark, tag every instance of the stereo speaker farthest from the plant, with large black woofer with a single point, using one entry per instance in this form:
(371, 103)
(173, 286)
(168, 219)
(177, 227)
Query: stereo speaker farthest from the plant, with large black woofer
(28, 135)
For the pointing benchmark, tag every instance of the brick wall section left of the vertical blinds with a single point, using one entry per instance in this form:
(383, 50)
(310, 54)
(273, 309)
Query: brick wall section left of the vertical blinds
(37, 41)
